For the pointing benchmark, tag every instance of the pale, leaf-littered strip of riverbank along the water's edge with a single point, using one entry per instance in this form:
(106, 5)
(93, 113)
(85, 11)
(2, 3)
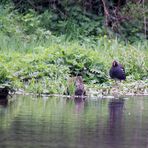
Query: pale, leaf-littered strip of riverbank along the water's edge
(122, 90)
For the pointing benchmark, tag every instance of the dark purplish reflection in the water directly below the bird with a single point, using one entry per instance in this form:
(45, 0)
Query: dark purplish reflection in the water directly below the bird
(115, 129)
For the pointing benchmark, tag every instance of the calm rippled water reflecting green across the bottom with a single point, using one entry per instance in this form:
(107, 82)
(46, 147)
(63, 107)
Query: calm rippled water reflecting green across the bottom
(29, 122)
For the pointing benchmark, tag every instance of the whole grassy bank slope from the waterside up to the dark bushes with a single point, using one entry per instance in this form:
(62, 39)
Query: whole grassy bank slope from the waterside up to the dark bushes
(41, 62)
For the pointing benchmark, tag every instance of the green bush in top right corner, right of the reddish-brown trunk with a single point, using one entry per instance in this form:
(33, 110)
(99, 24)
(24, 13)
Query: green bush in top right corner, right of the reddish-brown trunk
(133, 29)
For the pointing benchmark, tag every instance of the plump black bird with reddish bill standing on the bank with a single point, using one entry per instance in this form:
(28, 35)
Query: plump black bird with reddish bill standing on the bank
(117, 71)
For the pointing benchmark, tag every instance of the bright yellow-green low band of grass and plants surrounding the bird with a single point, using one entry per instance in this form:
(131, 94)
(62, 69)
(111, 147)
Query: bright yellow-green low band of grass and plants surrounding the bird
(47, 70)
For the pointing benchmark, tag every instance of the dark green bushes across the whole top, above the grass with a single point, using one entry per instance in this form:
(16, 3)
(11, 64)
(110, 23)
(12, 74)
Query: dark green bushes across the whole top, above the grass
(74, 20)
